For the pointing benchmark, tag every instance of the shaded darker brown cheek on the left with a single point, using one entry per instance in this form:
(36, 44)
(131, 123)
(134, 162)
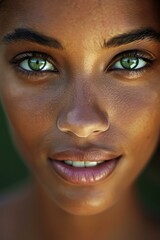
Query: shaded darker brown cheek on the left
(32, 113)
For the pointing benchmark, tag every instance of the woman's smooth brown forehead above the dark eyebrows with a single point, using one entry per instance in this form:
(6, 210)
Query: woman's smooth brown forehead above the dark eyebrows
(78, 17)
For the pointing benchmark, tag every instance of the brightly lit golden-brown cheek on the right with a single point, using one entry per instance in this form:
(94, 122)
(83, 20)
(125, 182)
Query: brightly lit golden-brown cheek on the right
(137, 122)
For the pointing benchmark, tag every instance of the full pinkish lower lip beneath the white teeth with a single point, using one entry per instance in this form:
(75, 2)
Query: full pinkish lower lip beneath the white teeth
(80, 175)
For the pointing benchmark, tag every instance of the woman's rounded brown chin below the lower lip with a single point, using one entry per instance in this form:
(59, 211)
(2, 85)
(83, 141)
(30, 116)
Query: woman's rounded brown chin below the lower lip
(78, 200)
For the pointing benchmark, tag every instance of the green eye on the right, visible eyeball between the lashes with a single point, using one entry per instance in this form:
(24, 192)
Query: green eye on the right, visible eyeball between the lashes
(130, 63)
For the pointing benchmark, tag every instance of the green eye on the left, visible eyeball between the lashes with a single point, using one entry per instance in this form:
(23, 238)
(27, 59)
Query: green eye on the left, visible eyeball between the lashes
(37, 64)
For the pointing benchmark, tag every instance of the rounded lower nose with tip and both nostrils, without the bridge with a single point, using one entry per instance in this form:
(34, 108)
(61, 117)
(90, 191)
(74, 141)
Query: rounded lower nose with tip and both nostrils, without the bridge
(83, 120)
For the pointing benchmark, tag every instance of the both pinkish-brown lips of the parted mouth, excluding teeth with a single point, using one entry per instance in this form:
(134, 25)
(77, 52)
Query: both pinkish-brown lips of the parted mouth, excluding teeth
(84, 175)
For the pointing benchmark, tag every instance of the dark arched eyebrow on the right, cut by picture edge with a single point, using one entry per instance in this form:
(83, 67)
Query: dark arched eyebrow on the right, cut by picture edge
(135, 35)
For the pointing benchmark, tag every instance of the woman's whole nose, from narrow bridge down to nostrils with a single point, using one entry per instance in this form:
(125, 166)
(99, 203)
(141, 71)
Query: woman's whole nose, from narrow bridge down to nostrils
(83, 115)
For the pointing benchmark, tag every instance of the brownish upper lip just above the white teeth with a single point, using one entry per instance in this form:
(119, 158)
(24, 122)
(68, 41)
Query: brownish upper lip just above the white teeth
(80, 155)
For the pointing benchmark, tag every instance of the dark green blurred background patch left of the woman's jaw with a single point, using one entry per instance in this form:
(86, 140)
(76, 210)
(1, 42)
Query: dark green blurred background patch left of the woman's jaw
(12, 169)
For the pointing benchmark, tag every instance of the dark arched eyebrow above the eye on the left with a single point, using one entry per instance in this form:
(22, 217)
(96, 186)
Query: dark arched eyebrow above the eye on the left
(32, 36)
